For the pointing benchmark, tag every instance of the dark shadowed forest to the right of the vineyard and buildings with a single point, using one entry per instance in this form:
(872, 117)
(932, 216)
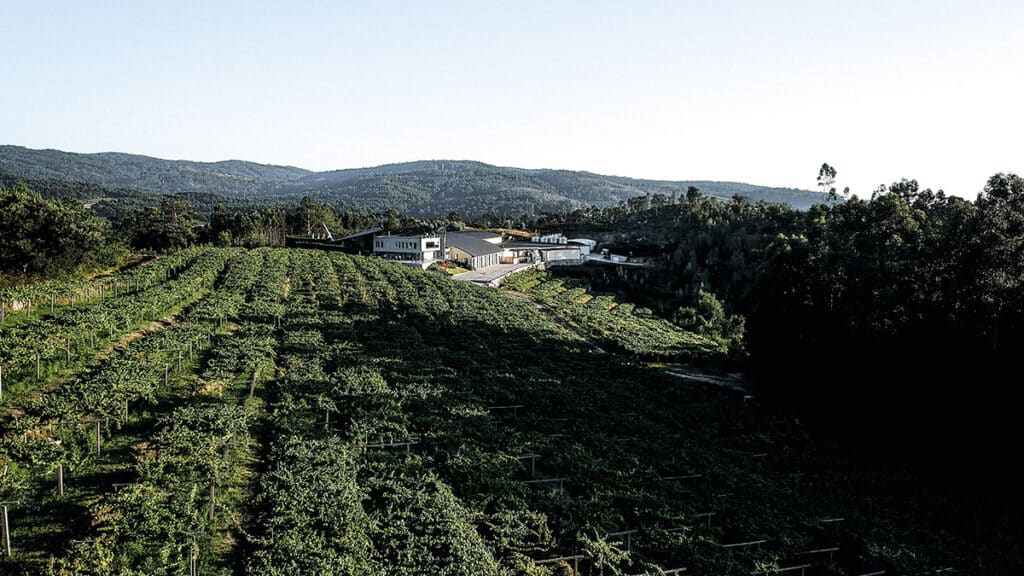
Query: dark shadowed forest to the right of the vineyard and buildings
(905, 297)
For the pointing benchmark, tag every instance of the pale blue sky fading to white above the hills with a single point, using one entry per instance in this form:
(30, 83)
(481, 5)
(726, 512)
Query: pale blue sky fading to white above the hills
(753, 92)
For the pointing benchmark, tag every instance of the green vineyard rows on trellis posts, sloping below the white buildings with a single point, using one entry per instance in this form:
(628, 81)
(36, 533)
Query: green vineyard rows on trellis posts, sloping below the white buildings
(284, 413)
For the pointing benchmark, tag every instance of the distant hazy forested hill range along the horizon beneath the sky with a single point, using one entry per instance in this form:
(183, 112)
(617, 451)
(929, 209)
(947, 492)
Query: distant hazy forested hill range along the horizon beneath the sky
(422, 189)
